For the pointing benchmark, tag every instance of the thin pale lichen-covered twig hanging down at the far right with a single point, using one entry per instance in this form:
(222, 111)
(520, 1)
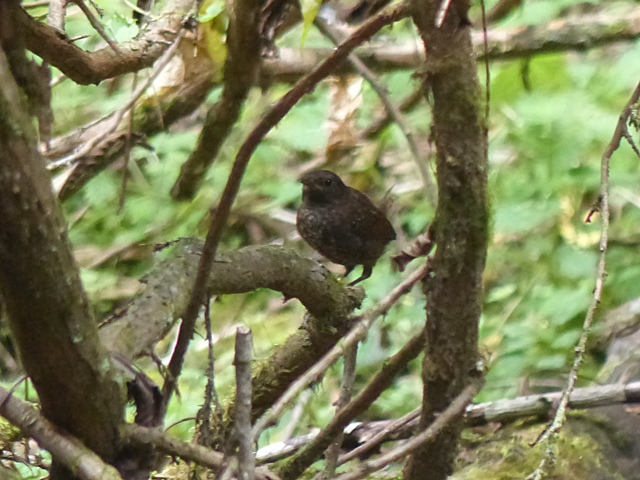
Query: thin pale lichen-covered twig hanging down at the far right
(550, 433)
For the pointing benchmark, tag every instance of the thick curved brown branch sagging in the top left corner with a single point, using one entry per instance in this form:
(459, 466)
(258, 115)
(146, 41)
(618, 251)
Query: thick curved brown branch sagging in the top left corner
(86, 68)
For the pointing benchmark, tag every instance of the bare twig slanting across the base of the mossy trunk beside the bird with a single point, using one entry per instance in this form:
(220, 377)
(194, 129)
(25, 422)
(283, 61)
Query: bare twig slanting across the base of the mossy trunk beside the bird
(454, 410)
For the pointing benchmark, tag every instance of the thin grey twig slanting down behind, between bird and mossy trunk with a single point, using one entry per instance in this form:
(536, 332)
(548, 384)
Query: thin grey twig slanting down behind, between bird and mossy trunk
(392, 110)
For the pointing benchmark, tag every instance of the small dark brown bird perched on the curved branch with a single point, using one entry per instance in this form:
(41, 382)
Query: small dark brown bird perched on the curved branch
(341, 223)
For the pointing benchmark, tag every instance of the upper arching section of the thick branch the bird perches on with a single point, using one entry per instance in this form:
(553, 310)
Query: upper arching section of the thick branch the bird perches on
(134, 331)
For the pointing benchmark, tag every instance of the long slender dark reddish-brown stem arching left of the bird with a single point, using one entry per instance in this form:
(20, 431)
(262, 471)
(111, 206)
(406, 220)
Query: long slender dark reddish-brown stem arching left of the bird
(223, 209)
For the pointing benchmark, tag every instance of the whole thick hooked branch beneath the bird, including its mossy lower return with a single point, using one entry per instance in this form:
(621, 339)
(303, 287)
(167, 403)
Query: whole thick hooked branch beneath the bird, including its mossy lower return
(134, 331)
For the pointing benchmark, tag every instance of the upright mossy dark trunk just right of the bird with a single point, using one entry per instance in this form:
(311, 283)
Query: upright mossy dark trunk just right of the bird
(460, 227)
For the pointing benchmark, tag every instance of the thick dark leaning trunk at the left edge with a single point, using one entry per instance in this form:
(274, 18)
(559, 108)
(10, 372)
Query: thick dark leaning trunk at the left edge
(48, 312)
